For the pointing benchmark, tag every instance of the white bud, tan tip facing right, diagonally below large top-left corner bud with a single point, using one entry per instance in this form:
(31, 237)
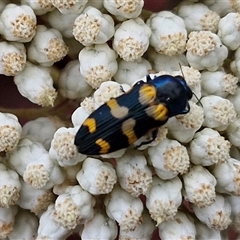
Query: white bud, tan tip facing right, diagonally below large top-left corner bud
(47, 47)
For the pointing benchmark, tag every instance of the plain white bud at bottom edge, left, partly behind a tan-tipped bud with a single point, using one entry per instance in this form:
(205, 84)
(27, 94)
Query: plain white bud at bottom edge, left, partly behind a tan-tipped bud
(49, 228)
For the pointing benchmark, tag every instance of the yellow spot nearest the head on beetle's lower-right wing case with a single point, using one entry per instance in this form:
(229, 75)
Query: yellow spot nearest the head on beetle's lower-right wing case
(158, 112)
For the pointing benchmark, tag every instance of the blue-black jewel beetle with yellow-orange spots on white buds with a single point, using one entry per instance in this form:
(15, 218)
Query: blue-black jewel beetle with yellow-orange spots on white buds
(121, 121)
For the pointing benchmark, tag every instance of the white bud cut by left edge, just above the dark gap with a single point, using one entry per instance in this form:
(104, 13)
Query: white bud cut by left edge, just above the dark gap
(12, 58)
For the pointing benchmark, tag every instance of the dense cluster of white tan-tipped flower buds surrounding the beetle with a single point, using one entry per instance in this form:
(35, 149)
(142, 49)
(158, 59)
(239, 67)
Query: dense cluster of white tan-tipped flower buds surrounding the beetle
(183, 185)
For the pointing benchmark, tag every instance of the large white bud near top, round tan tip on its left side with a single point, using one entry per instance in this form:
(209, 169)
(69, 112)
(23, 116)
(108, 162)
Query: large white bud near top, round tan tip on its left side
(93, 27)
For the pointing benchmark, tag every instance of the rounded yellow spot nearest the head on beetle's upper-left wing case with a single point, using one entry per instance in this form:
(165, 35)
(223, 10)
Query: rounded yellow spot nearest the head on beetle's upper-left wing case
(147, 94)
